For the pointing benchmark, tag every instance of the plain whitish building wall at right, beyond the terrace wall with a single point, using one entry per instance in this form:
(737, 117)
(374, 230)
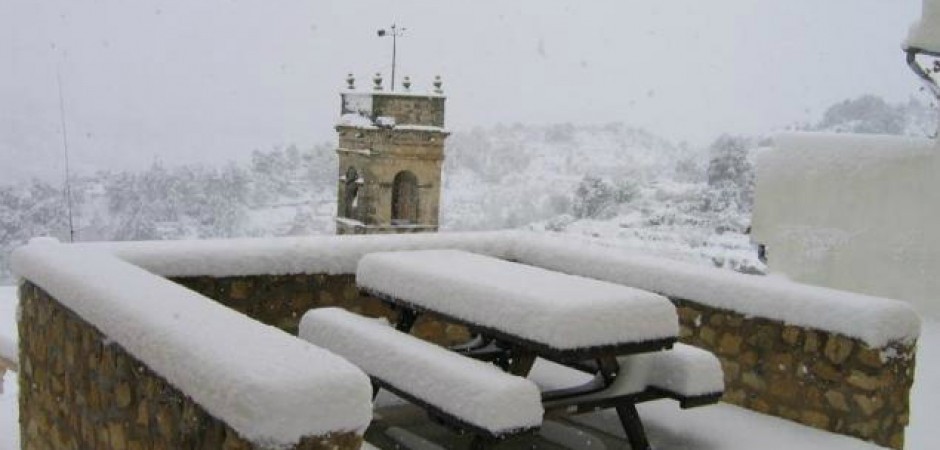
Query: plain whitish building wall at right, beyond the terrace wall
(860, 213)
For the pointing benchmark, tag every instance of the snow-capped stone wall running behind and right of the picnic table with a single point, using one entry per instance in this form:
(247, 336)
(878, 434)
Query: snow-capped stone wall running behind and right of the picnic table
(849, 356)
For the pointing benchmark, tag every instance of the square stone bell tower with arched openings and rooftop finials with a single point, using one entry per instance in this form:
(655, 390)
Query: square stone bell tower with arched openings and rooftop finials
(391, 148)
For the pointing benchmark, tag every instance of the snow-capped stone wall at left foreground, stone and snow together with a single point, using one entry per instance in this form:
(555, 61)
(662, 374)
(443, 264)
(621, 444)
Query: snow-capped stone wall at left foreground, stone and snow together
(131, 353)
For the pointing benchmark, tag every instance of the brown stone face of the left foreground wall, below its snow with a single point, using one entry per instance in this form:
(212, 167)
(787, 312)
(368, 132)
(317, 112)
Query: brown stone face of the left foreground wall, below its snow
(79, 391)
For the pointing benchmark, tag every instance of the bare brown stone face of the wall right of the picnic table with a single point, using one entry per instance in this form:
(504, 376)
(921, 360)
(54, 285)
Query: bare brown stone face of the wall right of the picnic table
(813, 377)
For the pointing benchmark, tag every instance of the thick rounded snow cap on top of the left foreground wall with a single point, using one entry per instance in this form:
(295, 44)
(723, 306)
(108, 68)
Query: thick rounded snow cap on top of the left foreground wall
(269, 386)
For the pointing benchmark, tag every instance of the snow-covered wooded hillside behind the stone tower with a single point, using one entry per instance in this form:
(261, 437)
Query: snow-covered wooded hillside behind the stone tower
(612, 183)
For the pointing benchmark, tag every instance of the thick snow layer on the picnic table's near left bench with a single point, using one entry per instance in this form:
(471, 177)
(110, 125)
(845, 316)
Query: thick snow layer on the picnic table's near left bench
(490, 401)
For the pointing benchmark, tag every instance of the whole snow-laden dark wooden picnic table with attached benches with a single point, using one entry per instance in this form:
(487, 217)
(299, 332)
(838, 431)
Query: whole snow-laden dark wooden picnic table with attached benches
(624, 337)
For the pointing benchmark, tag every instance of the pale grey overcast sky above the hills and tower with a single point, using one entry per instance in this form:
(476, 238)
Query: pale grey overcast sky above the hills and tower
(210, 80)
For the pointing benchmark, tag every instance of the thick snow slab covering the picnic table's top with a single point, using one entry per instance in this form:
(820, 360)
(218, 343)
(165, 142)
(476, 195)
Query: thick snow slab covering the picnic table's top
(550, 308)
